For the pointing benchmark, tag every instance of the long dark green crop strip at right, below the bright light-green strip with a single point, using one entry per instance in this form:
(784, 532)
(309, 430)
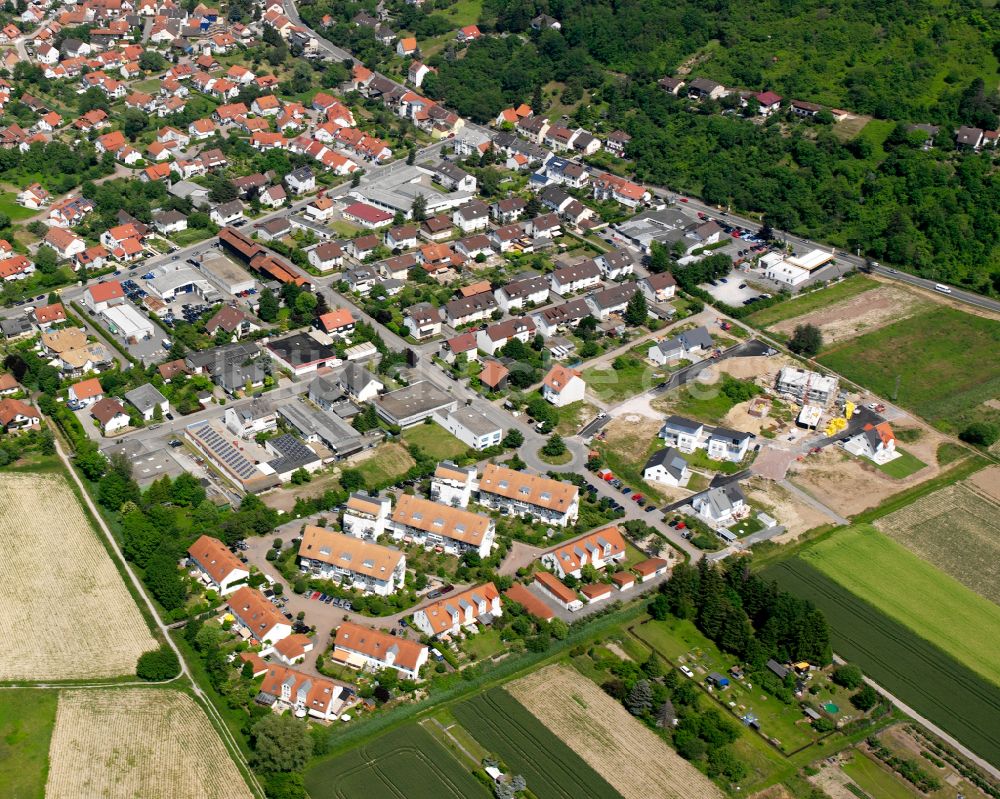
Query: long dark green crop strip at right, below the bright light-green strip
(922, 675)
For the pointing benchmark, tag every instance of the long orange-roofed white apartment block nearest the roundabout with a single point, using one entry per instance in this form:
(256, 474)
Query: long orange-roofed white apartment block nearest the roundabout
(518, 493)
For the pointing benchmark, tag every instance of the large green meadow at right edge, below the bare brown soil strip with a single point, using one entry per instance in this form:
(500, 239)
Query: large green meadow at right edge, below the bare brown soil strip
(942, 361)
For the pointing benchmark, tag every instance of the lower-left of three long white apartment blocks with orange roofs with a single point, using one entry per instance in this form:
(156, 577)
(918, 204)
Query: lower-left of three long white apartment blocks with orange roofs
(354, 563)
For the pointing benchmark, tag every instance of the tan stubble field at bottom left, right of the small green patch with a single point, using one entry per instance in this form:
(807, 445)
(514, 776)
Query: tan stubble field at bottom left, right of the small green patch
(127, 743)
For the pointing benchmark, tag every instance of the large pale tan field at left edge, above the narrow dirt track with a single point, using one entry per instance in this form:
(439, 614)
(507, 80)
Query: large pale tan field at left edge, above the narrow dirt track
(68, 614)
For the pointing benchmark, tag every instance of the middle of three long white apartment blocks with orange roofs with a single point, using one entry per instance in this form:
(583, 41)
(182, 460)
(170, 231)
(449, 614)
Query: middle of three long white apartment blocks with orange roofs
(431, 523)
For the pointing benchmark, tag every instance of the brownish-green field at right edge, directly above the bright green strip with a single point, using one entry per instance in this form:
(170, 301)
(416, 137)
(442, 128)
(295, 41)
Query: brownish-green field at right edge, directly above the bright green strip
(958, 530)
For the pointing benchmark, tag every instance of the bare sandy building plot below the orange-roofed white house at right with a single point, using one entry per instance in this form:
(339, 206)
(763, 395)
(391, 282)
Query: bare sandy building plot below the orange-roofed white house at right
(850, 485)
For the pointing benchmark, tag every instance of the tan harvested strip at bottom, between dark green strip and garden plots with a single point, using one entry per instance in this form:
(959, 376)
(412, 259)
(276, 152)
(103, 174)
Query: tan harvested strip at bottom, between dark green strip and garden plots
(613, 743)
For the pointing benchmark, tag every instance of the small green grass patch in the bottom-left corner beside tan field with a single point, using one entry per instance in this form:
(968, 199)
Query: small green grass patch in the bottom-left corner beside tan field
(27, 717)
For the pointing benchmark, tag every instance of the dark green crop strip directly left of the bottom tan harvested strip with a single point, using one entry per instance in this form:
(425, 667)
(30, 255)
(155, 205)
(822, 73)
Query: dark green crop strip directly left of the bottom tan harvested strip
(553, 770)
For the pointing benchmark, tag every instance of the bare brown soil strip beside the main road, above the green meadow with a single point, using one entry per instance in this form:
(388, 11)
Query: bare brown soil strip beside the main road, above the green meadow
(859, 314)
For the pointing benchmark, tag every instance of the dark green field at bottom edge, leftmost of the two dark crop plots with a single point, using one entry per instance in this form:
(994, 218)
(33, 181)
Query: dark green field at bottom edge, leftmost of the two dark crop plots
(407, 763)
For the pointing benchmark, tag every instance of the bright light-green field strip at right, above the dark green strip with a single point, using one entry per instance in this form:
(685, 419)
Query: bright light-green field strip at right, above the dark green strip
(914, 593)
